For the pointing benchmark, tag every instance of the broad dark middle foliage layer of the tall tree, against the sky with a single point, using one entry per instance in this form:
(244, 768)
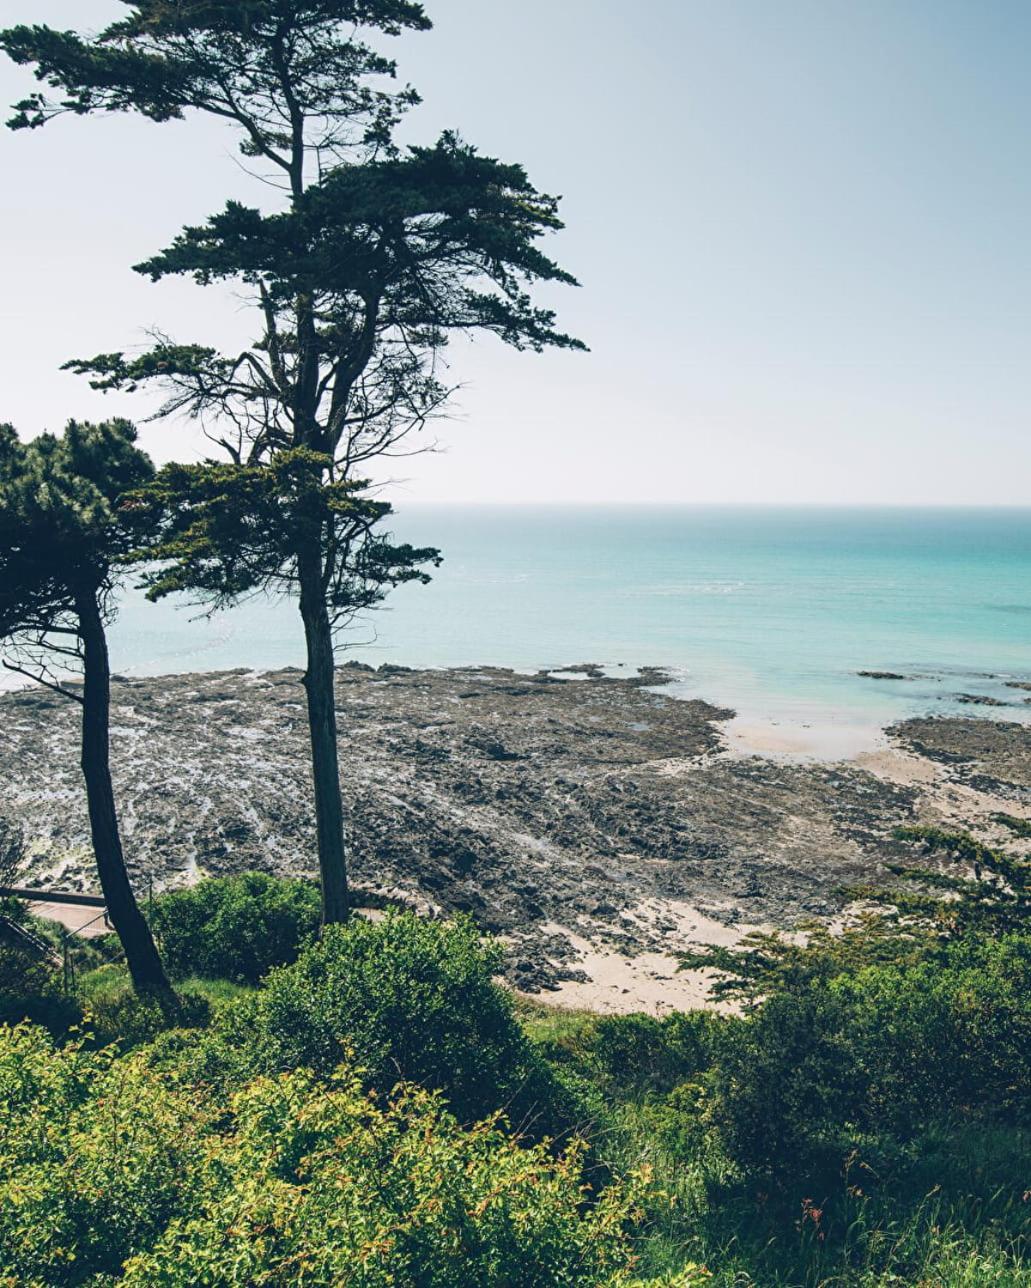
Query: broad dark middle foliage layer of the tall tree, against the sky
(445, 236)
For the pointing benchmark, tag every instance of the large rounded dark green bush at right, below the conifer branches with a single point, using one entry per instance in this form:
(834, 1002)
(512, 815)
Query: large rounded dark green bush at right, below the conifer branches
(863, 1063)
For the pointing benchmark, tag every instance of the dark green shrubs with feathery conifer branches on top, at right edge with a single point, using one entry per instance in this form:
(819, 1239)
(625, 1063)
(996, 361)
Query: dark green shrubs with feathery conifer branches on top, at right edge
(862, 1043)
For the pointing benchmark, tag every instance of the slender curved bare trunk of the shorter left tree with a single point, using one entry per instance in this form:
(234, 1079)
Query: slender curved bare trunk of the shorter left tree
(145, 965)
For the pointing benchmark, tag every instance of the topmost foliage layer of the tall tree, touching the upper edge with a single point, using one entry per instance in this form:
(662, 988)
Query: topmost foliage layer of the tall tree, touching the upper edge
(226, 57)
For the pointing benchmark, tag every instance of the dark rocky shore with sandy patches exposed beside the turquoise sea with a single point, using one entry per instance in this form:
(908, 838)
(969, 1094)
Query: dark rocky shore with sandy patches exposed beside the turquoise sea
(569, 812)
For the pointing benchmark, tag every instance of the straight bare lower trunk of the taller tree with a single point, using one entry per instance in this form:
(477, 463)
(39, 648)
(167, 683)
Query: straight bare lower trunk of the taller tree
(319, 685)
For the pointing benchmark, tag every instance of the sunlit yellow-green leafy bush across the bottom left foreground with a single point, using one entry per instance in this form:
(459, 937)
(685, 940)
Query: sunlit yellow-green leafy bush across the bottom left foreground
(113, 1171)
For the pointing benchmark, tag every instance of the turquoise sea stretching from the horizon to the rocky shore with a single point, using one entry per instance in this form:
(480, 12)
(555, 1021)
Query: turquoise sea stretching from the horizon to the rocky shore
(769, 611)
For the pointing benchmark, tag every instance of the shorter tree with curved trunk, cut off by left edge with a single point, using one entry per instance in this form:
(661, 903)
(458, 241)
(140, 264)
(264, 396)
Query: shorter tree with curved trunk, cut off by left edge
(60, 548)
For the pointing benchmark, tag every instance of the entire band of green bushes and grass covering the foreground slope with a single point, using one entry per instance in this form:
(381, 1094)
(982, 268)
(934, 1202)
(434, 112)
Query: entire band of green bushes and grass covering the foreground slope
(372, 1108)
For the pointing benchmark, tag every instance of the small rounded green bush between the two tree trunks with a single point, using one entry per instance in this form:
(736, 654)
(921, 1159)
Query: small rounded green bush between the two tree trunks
(235, 928)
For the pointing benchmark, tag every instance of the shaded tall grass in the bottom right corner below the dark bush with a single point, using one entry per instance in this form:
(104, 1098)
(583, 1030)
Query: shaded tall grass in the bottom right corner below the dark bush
(961, 1217)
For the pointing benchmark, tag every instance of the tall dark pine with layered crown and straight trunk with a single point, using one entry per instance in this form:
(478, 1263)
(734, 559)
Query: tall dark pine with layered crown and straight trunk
(377, 260)
